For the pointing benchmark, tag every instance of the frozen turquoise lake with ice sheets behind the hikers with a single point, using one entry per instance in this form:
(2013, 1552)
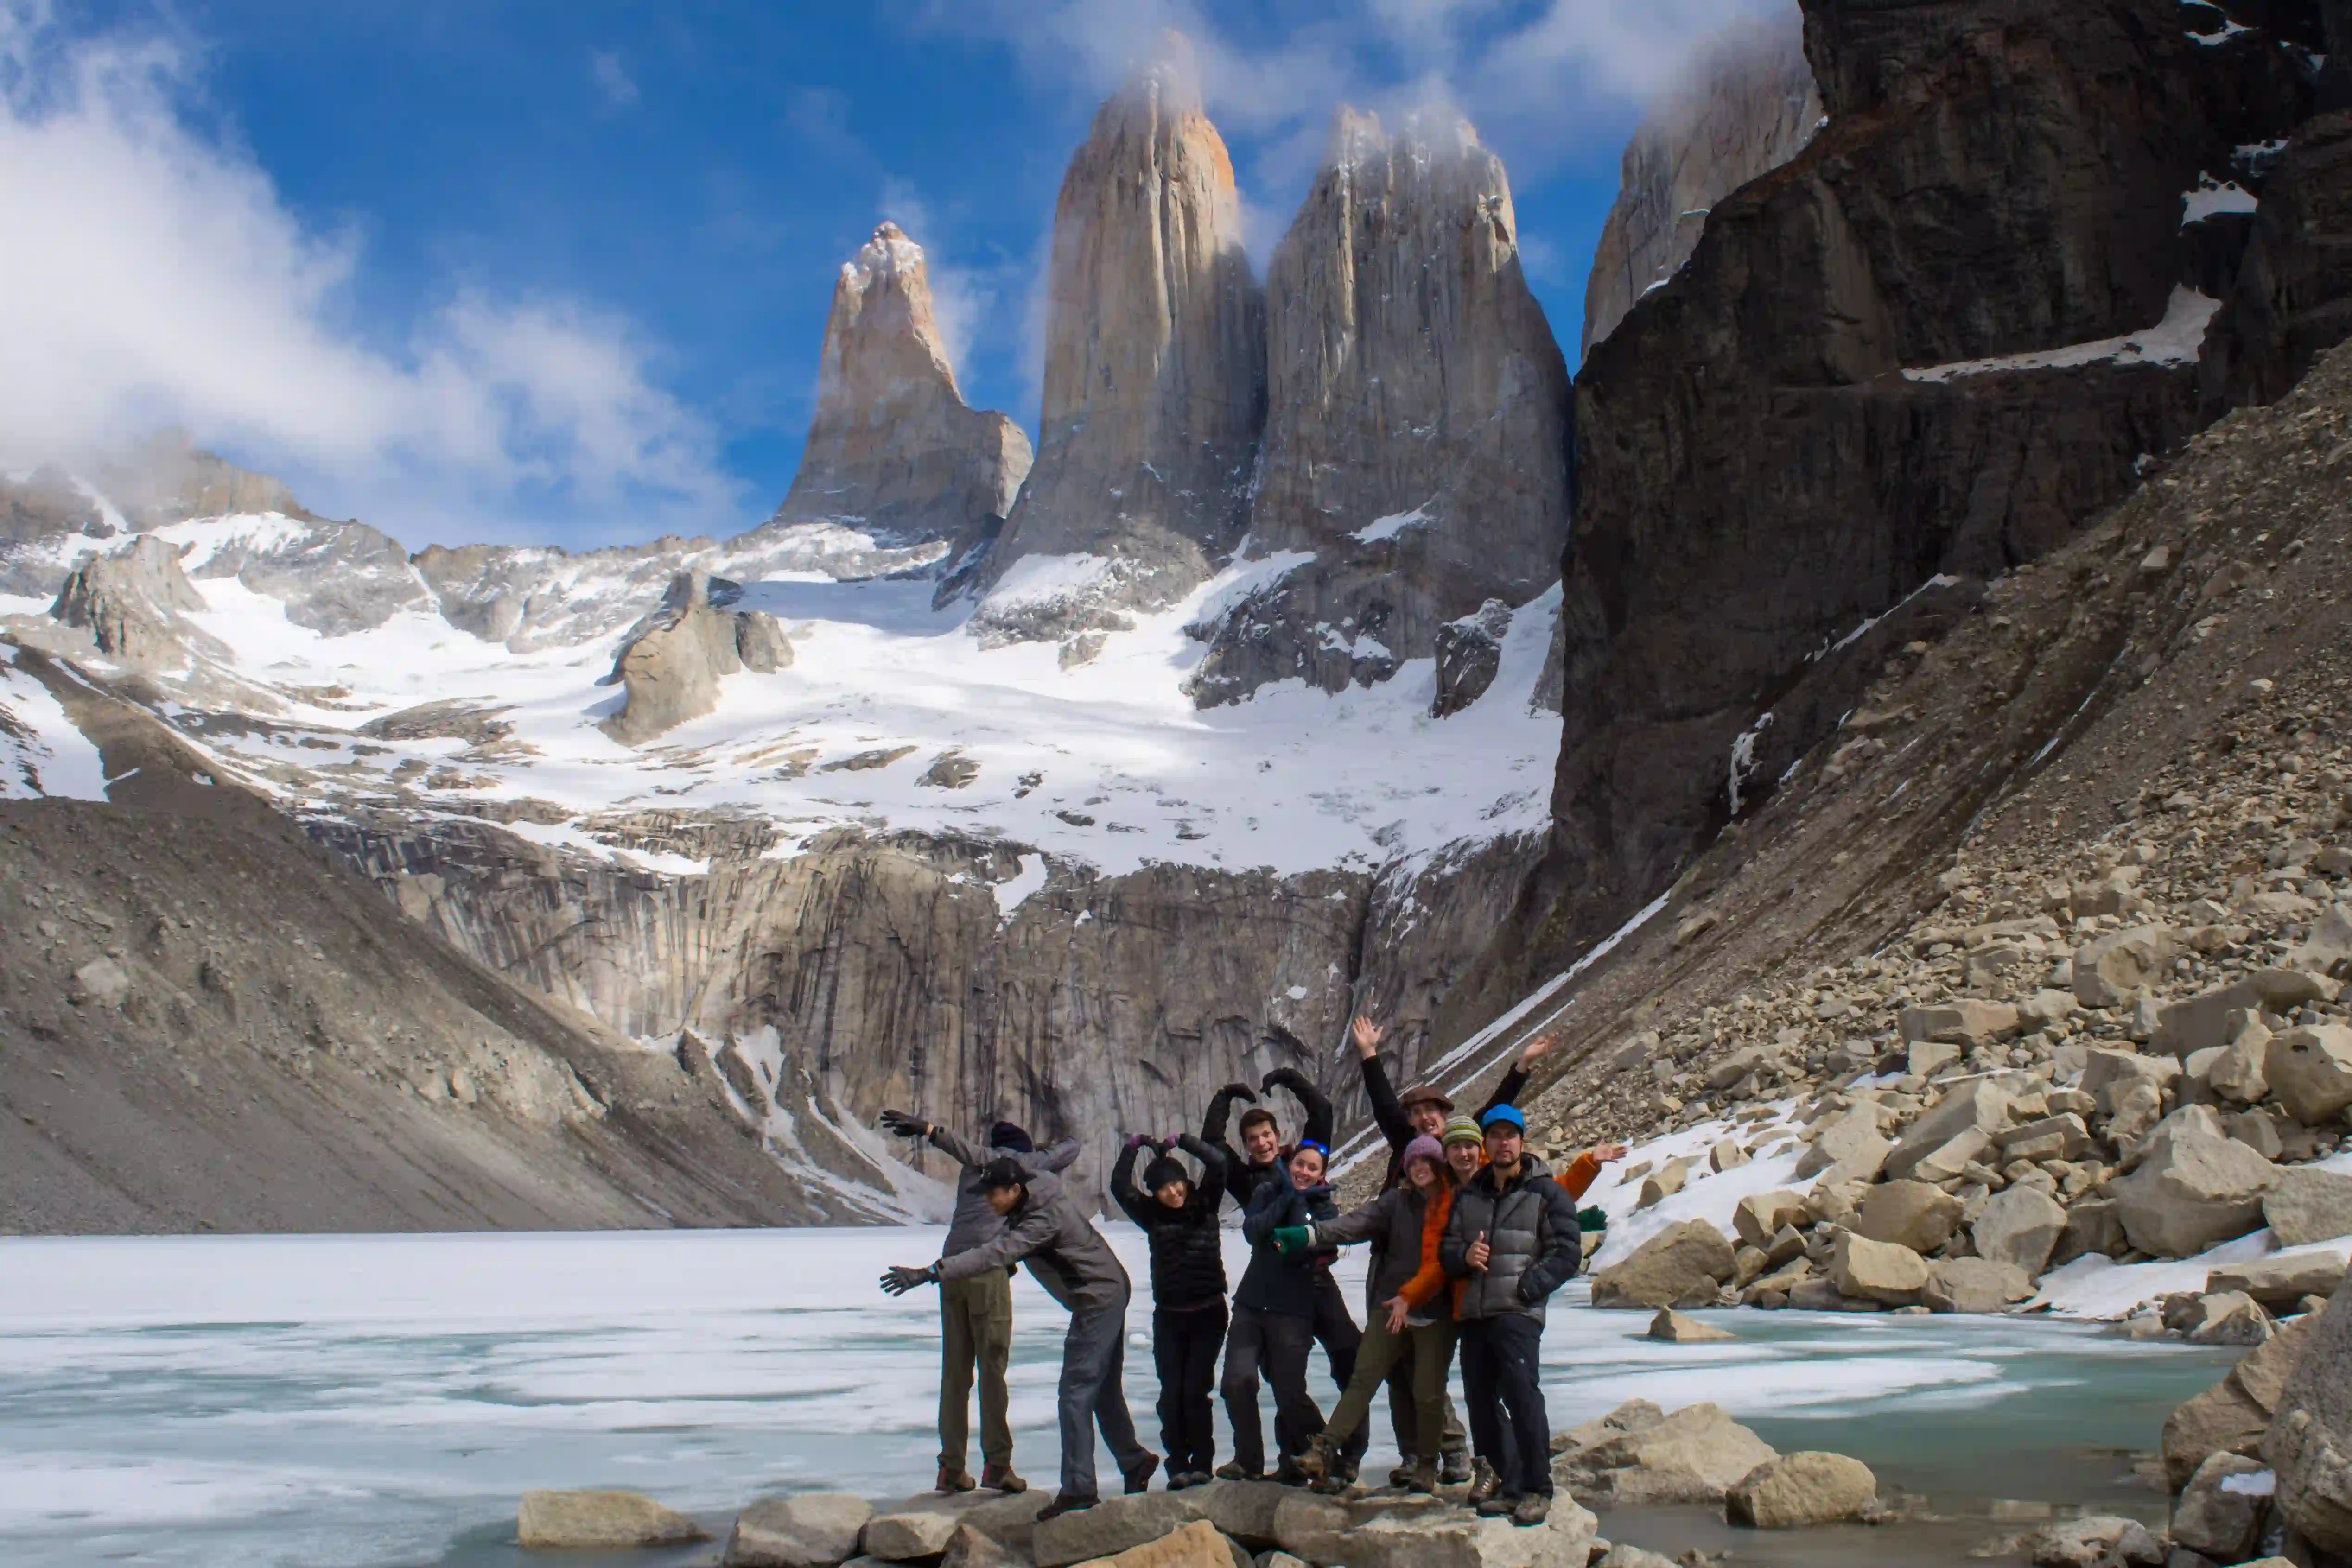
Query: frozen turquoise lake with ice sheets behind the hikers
(373, 1402)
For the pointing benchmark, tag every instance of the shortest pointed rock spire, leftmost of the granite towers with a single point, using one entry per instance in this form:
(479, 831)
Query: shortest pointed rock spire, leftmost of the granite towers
(893, 445)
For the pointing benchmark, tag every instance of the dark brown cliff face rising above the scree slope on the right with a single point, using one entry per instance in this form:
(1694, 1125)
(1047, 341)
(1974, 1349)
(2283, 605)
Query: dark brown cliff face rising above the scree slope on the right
(1932, 344)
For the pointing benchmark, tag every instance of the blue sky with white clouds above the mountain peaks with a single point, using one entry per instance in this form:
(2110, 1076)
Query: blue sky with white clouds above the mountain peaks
(559, 269)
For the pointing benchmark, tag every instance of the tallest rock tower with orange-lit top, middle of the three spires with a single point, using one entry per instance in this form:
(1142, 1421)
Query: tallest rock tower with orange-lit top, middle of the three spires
(1154, 375)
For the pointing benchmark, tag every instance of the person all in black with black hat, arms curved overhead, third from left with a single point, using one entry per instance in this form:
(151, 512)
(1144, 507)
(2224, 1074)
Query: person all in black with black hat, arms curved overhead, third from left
(1189, 1292)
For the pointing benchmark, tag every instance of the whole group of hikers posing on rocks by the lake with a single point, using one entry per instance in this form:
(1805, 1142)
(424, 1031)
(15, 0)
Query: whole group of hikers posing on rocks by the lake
(1469, 1238)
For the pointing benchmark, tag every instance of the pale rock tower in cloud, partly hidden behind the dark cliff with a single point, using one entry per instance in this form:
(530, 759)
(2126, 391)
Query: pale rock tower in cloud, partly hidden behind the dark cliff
(1746, 107)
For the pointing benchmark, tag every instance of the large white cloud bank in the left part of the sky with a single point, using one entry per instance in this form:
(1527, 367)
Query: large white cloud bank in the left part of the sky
(154, 276)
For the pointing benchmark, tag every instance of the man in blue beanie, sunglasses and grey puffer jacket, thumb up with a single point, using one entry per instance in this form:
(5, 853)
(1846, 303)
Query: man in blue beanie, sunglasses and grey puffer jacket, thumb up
(1511, 1240)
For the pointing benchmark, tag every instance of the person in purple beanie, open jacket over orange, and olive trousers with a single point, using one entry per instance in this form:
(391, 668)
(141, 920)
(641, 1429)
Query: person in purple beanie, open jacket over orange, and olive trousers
(1412, 1306)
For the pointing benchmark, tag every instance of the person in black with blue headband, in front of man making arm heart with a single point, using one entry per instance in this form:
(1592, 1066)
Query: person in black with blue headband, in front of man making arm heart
(1274, 1320)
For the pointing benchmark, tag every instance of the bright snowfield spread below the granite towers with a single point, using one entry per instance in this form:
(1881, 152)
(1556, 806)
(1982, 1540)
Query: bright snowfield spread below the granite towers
(1104, 763)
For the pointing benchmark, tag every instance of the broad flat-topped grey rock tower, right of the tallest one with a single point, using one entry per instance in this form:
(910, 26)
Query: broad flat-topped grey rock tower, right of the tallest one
(1417, 417)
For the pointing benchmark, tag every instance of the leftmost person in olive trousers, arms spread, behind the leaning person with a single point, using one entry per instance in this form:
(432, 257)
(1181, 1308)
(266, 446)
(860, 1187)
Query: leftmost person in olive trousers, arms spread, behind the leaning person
(977, 1315)
